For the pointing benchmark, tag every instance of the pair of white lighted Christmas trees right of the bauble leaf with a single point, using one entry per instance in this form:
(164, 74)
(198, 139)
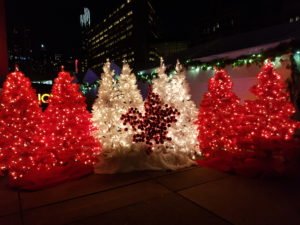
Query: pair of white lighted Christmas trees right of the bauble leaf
(175, 92)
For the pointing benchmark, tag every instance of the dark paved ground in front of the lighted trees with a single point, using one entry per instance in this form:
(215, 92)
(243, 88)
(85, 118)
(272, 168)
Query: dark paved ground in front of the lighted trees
(187, 197)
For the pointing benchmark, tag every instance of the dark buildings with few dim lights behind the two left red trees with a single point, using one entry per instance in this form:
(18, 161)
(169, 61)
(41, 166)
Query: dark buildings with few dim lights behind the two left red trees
(36, 61)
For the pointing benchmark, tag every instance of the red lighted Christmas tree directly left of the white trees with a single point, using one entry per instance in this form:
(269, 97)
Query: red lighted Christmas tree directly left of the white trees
(68, 124)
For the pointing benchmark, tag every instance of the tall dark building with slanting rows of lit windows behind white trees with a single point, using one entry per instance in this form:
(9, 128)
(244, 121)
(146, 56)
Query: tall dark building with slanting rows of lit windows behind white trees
(126, 33)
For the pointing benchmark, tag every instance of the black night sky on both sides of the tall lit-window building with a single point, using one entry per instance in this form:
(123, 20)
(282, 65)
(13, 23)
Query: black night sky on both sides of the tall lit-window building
(55, 23)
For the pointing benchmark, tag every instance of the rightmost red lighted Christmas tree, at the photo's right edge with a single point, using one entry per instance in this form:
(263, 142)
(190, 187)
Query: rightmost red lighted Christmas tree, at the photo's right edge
(269, 116)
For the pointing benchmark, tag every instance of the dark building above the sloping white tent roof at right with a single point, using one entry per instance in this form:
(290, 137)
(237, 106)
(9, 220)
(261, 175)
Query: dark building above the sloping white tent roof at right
(222, 18)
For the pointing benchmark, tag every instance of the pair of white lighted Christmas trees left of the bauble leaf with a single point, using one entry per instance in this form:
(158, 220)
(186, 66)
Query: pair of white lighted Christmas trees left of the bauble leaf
(114, 99)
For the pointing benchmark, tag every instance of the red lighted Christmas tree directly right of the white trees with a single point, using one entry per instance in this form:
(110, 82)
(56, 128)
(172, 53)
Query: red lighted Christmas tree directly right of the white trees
(219, 116)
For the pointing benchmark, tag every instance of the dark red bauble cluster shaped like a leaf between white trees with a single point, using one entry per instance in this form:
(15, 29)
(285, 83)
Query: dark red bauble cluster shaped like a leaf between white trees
(152, 127)
